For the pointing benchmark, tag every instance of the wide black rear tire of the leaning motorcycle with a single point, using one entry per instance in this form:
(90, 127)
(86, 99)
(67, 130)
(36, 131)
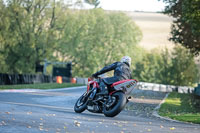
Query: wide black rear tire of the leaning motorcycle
(117, 107)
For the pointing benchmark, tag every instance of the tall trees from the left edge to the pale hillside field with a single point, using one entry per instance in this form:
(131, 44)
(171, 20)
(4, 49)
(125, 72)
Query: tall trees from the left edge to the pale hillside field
(32, 31)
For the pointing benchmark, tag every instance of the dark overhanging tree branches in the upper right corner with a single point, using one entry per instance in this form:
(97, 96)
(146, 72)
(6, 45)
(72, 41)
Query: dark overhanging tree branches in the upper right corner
(185, 28)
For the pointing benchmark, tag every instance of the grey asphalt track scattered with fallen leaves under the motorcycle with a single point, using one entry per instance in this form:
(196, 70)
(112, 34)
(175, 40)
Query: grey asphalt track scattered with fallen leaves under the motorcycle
(52, 111)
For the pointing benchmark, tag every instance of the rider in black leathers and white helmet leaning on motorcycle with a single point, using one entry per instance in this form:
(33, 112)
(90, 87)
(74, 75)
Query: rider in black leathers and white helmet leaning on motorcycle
(121, 72)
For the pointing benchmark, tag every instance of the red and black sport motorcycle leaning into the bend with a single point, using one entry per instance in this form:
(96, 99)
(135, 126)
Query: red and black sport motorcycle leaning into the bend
(110, 104)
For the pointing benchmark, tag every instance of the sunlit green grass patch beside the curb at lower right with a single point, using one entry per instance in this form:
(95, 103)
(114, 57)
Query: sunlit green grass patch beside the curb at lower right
(182, 107)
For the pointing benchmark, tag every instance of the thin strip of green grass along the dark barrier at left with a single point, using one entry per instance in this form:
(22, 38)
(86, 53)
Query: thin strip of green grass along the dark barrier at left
(39, 86)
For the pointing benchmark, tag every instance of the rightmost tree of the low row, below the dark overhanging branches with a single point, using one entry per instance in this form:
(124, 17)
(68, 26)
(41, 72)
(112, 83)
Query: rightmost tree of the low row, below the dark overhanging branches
(183, 70)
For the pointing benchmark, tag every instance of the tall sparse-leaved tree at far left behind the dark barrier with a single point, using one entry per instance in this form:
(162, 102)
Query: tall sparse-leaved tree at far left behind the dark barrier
(28, 33)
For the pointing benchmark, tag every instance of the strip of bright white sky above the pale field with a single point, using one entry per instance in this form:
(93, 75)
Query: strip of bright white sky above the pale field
(133, 5)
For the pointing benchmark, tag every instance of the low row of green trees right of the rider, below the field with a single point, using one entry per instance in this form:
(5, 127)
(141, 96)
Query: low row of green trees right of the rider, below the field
(176, 68)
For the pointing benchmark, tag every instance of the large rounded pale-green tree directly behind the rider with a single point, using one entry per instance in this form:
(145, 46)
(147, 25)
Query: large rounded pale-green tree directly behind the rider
(94, 38)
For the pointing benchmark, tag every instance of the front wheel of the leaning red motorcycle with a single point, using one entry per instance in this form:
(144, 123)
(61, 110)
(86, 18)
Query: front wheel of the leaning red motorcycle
(81, 104)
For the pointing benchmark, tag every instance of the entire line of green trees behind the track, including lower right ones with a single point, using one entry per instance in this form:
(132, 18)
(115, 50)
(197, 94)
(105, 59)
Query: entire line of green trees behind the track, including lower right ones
(35, 30)
